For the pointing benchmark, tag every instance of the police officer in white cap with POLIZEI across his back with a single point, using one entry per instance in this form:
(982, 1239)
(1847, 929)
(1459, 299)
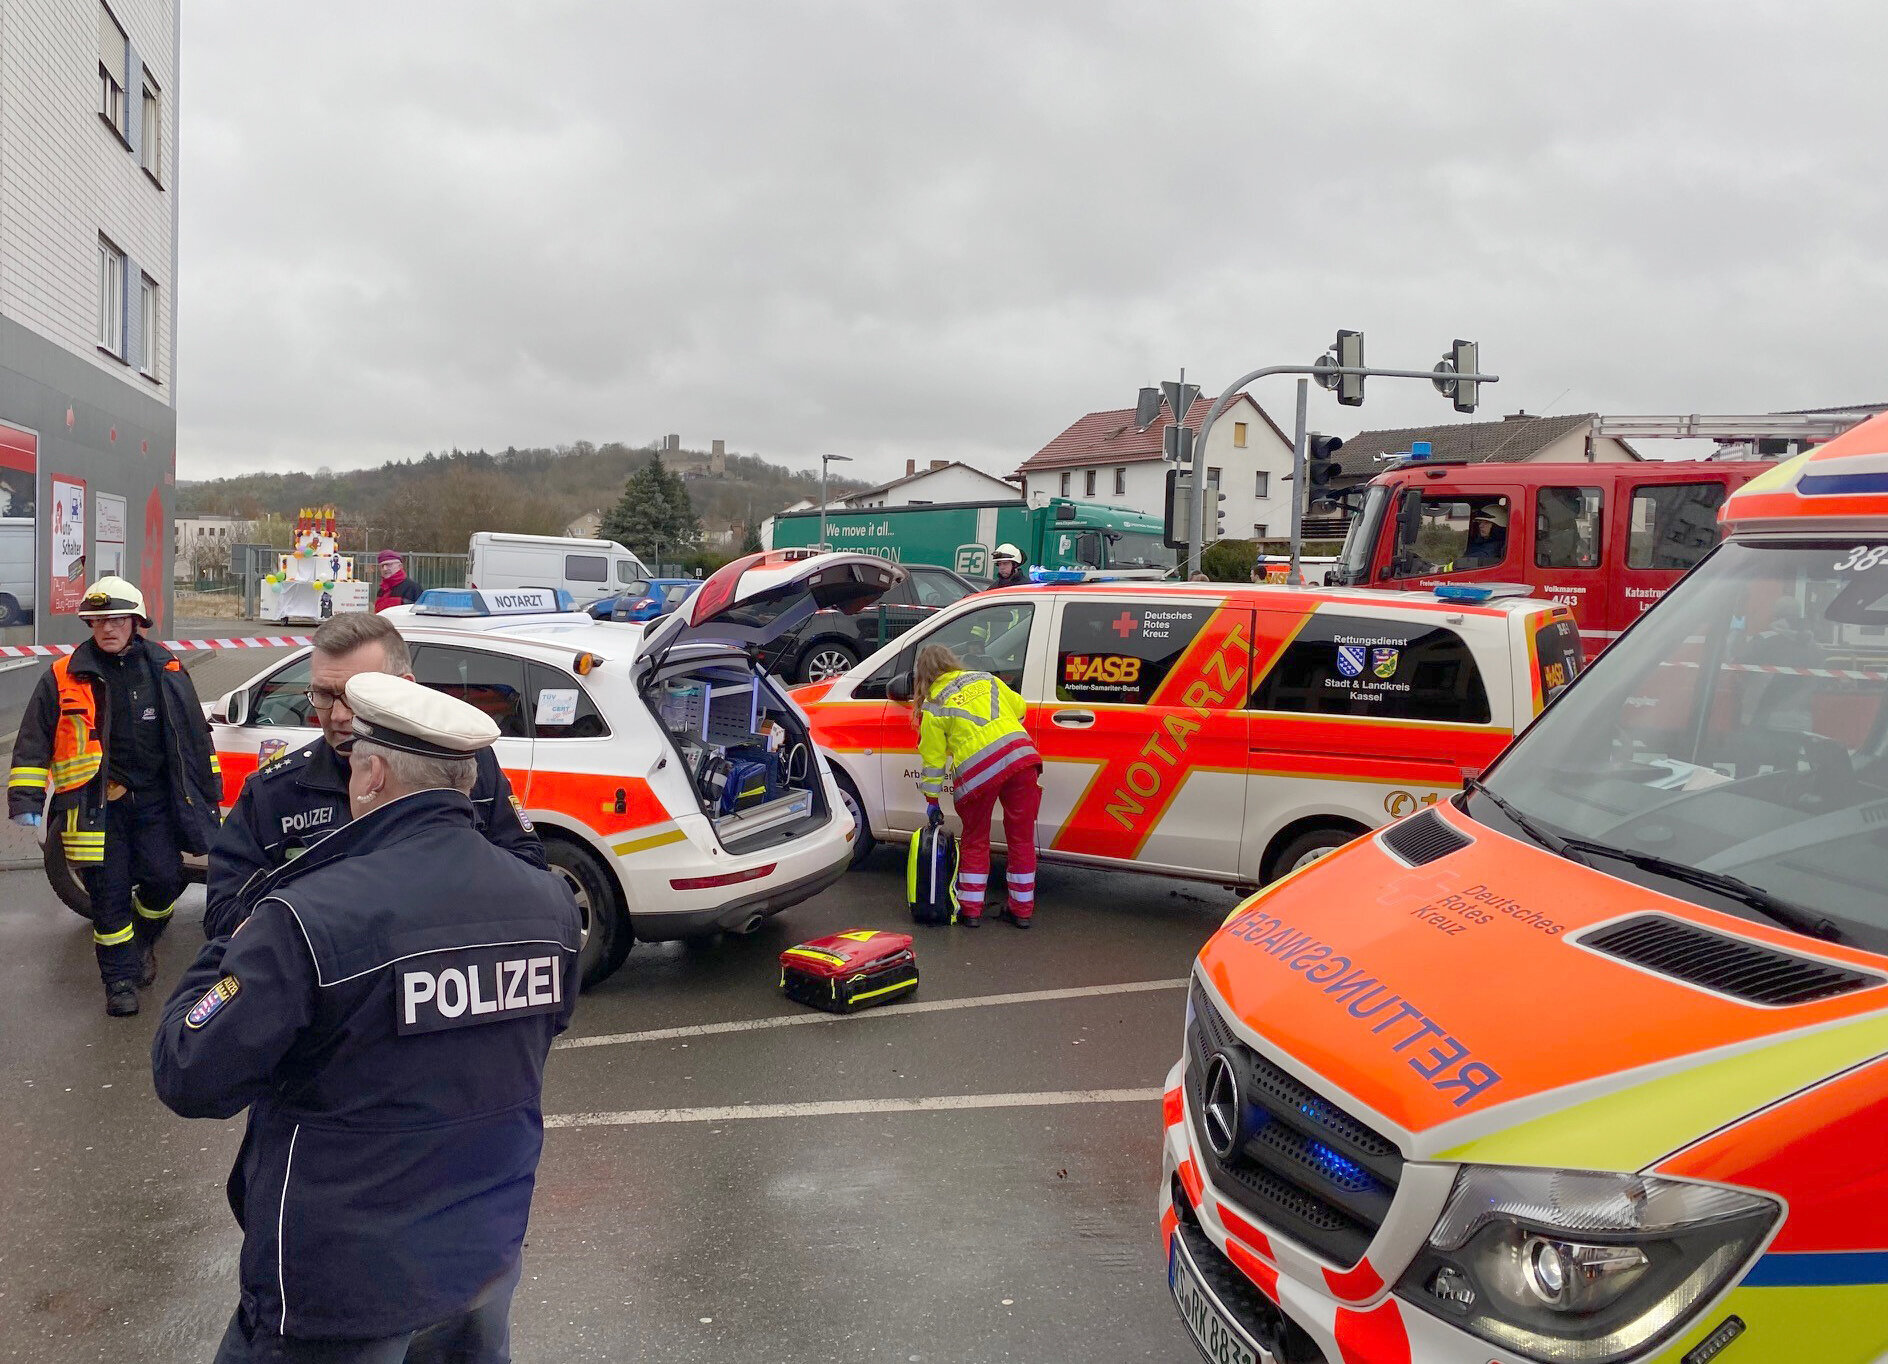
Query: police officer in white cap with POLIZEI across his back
(384, 1014)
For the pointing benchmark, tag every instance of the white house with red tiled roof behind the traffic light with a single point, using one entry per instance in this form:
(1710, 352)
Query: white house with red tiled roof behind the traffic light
(1113, 460)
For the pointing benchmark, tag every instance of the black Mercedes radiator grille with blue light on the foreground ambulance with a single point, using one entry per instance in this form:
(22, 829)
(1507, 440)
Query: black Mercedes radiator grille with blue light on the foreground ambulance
(1281, 1151)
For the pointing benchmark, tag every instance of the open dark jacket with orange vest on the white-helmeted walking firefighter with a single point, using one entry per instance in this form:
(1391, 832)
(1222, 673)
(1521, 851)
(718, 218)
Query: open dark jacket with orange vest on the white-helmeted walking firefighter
(67, 734)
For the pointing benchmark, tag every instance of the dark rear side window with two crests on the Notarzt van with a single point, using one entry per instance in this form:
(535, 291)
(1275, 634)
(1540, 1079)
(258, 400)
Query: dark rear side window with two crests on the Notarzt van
(1381, 670)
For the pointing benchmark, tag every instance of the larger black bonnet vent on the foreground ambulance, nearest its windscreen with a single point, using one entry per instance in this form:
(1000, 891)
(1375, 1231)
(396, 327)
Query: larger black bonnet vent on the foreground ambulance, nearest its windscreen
(1727, 964)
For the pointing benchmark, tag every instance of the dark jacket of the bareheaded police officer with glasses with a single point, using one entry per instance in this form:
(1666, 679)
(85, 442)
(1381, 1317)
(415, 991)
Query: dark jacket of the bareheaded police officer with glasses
(303, 798)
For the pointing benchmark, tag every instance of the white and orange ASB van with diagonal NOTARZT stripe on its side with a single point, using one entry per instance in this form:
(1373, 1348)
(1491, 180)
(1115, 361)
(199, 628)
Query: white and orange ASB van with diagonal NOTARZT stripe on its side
(1219, 732)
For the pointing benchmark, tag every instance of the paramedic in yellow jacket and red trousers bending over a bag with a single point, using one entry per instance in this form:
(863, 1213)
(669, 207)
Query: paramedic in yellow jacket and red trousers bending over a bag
(973, 725)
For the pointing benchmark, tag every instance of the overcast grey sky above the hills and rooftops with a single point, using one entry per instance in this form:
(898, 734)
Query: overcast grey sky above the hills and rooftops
(900, 230)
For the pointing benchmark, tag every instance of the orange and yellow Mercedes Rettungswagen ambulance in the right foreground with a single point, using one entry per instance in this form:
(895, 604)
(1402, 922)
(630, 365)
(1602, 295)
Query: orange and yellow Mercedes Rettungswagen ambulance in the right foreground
(1593, 1061)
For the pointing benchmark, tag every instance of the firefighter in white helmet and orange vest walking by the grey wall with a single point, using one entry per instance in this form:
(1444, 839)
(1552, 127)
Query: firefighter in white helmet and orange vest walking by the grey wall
(114, 755)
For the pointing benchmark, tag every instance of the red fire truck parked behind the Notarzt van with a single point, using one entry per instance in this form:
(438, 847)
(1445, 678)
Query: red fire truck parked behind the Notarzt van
(1606, 541)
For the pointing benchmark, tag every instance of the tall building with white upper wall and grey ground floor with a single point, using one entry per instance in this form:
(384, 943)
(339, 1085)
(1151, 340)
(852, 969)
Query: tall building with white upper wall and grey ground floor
(88, 281)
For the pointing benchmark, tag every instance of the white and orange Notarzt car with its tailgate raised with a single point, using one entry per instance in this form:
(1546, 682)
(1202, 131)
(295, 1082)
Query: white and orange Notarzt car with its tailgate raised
(671, 779)
